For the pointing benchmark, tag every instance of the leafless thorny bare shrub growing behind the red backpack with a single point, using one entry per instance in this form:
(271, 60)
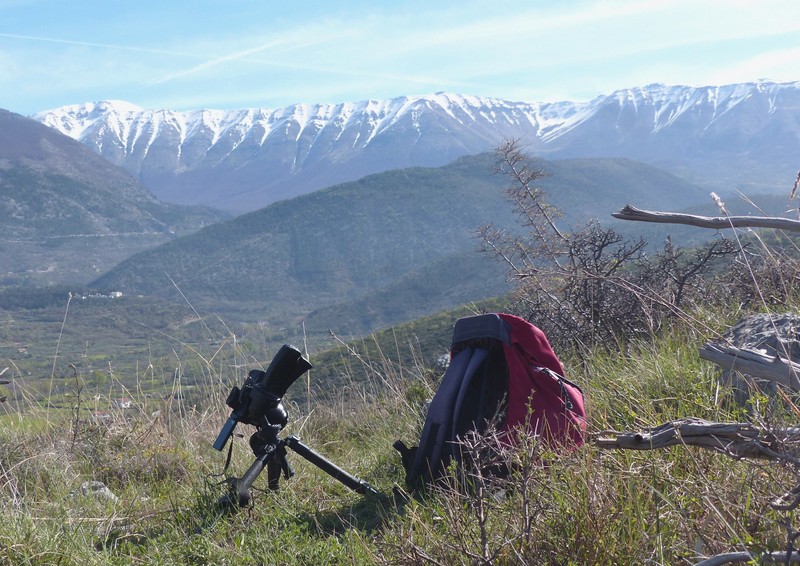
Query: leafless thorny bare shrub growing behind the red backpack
(592, 287)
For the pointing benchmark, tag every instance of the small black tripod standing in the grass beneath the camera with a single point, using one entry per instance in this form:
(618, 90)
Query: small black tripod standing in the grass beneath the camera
(270, 452)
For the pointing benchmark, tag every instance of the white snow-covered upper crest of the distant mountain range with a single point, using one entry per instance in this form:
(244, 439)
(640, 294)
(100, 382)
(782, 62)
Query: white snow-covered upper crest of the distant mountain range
(667, 102)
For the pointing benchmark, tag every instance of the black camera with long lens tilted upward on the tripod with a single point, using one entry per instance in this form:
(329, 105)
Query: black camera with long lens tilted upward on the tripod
(258, 401)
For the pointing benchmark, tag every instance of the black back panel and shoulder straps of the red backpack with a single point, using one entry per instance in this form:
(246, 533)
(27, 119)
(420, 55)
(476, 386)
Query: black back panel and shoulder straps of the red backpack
(471, 394)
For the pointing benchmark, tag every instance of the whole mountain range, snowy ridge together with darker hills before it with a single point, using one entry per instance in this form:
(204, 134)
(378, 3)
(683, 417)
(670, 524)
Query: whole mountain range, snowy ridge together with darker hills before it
(358, 255)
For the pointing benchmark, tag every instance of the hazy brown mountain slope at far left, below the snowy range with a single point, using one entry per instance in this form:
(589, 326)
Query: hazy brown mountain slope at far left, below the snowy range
(68, 214)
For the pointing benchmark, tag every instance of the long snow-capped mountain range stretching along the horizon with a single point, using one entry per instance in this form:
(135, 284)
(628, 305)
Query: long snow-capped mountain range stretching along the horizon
(743, 135)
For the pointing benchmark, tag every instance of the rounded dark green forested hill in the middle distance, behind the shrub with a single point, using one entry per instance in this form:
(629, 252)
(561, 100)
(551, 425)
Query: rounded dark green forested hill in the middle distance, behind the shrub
(384, 249)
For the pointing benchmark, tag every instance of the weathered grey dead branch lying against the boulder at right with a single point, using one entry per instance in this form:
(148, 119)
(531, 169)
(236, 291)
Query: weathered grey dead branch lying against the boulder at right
(754, 363)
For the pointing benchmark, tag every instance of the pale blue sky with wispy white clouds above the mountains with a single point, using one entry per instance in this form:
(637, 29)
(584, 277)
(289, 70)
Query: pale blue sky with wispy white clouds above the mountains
(210, 54)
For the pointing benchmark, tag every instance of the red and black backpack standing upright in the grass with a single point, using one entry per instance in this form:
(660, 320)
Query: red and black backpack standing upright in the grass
(501, 367)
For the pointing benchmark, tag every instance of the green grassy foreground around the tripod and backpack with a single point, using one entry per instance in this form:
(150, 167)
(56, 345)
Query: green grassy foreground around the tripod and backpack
(592, 506)
